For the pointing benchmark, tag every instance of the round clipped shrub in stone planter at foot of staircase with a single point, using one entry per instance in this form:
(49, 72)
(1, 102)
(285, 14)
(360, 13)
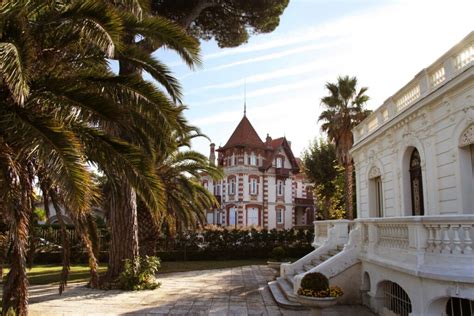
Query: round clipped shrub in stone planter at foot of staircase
(316, 293)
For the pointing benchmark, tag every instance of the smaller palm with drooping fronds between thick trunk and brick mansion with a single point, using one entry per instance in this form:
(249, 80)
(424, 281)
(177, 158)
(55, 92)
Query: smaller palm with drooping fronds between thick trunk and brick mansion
(186, 200)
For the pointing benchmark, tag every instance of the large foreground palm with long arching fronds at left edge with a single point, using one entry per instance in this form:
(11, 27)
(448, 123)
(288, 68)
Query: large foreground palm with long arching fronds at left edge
(59, 102)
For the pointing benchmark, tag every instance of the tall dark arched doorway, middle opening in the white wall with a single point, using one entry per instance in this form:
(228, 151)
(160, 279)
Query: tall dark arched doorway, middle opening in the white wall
(416, 184)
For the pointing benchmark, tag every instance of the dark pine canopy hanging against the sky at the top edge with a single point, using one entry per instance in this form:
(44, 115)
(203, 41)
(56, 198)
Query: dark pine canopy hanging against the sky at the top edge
(229, 22)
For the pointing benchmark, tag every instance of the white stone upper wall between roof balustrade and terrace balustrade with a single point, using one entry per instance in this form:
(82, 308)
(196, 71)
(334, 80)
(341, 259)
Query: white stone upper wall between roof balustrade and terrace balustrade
(434, 127)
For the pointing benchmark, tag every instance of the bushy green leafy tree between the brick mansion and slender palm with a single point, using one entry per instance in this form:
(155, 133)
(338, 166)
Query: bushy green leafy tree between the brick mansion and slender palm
(321, 167)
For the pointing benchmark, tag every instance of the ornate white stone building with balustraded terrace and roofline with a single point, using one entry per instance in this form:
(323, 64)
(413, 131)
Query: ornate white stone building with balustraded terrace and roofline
(411, 248)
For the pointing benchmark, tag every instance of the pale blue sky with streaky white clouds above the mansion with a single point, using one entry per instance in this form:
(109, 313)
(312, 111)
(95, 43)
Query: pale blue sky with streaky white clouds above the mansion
(383, 43)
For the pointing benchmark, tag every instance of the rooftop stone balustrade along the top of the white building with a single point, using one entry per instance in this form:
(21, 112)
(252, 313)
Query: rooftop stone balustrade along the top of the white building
(456, 60)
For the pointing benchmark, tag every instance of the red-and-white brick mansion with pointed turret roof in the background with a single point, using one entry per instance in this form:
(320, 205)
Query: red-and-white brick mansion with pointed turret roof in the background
(262, 185)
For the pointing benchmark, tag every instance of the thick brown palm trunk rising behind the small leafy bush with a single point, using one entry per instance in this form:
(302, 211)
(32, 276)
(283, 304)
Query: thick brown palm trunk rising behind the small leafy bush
(123, 229)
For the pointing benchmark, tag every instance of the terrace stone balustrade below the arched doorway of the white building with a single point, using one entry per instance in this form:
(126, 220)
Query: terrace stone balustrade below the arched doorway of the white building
(420, 243)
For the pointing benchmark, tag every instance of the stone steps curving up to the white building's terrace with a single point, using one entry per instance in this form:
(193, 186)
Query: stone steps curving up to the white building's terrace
(282, 288)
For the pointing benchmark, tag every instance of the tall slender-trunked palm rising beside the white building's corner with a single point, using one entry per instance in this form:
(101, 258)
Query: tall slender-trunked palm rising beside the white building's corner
(344, 110)
